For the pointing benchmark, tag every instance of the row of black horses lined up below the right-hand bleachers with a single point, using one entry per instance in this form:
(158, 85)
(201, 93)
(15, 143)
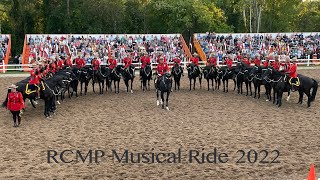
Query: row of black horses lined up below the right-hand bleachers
(271, 79)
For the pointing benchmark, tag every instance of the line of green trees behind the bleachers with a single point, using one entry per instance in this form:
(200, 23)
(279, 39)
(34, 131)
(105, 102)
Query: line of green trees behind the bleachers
(20, 17)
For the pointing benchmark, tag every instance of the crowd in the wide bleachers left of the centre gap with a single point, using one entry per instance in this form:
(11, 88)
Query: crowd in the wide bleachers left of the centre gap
(89, 47)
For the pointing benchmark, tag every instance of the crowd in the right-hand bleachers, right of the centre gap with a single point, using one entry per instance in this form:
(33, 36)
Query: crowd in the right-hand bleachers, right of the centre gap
(298, 45)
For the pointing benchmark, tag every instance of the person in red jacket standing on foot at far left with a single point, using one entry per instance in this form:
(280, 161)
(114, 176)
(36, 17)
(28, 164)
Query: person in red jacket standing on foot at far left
(15, 104)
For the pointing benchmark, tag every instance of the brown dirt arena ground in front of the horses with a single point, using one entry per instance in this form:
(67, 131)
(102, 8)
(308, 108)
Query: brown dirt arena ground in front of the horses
(197, 119)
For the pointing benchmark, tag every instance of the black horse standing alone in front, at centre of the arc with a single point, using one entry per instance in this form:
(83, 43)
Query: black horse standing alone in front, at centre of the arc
(163, 85)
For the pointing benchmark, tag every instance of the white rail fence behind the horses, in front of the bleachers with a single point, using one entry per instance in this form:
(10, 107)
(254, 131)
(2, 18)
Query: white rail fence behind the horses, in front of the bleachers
(27, 67)
